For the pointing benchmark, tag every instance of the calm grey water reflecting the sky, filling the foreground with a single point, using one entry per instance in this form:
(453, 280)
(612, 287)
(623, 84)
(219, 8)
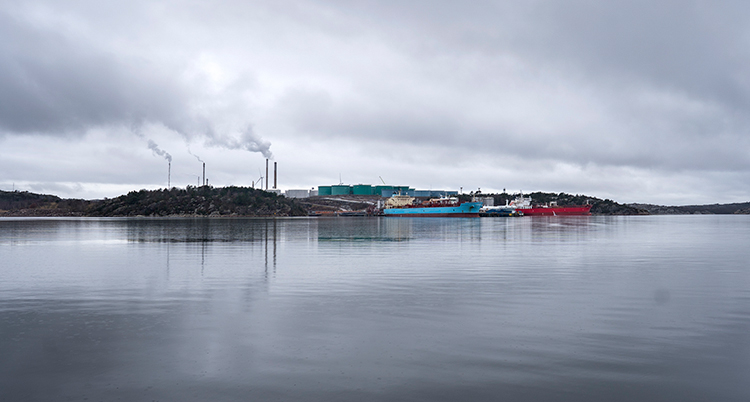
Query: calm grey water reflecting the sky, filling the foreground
(529, 309)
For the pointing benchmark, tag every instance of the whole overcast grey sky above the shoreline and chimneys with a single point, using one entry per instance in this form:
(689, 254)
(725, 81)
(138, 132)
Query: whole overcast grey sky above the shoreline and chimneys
(636, 101)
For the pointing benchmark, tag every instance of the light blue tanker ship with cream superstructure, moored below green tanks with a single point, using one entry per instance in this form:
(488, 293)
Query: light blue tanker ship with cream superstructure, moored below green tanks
(404, 206)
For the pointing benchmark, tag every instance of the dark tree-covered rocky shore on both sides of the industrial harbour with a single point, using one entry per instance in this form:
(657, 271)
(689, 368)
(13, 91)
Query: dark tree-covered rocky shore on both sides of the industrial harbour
(245, 201)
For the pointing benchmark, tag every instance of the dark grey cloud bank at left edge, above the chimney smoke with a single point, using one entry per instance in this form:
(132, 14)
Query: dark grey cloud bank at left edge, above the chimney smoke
(54, 83)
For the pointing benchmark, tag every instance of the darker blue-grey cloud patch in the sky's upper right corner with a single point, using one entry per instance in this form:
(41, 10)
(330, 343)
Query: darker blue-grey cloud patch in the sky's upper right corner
(673, 45)
